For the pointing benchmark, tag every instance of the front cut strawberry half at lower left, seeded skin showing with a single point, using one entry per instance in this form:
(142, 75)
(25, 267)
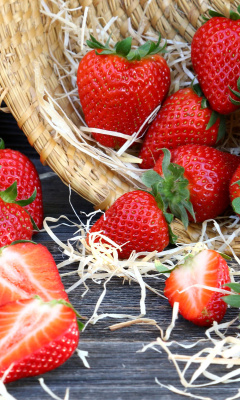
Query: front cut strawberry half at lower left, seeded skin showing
(35, 337)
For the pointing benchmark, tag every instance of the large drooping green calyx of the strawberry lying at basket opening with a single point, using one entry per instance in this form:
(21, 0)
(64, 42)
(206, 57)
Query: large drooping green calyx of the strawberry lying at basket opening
(170, 190)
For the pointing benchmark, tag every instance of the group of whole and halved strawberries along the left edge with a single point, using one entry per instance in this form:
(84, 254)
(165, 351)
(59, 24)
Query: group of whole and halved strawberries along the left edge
(39, 329)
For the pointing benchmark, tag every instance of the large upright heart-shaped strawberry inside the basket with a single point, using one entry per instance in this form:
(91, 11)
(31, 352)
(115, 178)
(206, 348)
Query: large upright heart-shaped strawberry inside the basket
(120, 87)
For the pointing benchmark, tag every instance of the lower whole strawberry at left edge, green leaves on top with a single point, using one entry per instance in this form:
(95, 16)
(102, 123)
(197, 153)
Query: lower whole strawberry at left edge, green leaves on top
(15, 222)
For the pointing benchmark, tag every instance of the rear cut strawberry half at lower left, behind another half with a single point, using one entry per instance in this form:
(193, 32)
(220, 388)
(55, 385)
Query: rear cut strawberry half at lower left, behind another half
(28, 269)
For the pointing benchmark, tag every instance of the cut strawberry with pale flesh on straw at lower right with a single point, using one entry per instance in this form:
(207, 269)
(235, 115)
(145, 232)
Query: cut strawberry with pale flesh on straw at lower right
(197, 304)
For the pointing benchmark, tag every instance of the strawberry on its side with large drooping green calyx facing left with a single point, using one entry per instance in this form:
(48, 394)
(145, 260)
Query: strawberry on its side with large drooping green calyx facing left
(196, 183)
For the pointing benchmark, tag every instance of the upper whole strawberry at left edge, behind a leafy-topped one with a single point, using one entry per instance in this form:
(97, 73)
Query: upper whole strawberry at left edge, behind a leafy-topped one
(15, 166)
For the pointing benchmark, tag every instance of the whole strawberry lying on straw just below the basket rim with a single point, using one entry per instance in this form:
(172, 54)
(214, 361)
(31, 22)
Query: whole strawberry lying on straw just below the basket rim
(136, 222)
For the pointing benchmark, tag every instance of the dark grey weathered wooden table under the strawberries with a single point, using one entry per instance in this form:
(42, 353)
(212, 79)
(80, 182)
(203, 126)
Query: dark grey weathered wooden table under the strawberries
(118, 371)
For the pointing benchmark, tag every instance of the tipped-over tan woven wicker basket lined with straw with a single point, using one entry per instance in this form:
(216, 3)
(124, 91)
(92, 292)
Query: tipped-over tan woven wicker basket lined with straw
(28, 39)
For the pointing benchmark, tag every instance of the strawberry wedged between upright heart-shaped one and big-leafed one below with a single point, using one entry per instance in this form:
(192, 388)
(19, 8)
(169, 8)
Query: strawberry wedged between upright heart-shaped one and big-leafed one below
(184, 118)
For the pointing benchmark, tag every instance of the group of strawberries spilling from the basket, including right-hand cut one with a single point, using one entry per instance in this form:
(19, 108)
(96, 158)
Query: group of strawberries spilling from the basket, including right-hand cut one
(188, 177)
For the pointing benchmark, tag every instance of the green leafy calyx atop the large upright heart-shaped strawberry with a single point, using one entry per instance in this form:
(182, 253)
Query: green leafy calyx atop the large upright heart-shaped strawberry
(124, 48)
